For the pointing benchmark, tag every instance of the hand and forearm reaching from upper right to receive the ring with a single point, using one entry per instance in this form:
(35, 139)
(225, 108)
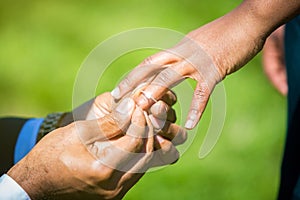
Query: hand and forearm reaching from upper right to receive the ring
(210, 53)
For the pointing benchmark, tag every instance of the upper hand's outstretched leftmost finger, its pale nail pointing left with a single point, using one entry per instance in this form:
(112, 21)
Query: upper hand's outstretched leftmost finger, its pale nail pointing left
(144, 71)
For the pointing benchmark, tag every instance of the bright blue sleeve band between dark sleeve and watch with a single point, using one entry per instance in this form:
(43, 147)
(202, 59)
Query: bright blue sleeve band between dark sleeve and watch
(27, 138)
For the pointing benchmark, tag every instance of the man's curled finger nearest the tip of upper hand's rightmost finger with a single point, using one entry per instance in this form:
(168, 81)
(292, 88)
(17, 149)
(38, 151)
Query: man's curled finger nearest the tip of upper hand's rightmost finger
(174, 133)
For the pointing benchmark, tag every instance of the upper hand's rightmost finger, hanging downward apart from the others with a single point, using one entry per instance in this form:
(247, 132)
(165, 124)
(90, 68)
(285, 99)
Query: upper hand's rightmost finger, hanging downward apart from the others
(198, 104)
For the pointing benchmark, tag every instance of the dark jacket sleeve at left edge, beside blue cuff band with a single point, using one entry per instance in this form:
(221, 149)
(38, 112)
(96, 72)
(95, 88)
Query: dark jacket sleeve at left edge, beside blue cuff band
(10, 128)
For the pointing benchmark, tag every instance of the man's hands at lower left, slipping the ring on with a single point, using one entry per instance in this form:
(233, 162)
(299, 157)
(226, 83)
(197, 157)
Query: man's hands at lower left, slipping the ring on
(99, 158)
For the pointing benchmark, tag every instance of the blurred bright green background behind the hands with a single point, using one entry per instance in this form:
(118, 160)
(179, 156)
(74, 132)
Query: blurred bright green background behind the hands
(43, 43)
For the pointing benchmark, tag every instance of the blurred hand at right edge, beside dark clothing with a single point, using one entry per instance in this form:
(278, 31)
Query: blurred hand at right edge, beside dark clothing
(273, 60)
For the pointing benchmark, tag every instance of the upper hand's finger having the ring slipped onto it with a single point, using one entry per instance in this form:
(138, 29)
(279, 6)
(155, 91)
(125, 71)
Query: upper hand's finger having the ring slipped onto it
(166, 79)
